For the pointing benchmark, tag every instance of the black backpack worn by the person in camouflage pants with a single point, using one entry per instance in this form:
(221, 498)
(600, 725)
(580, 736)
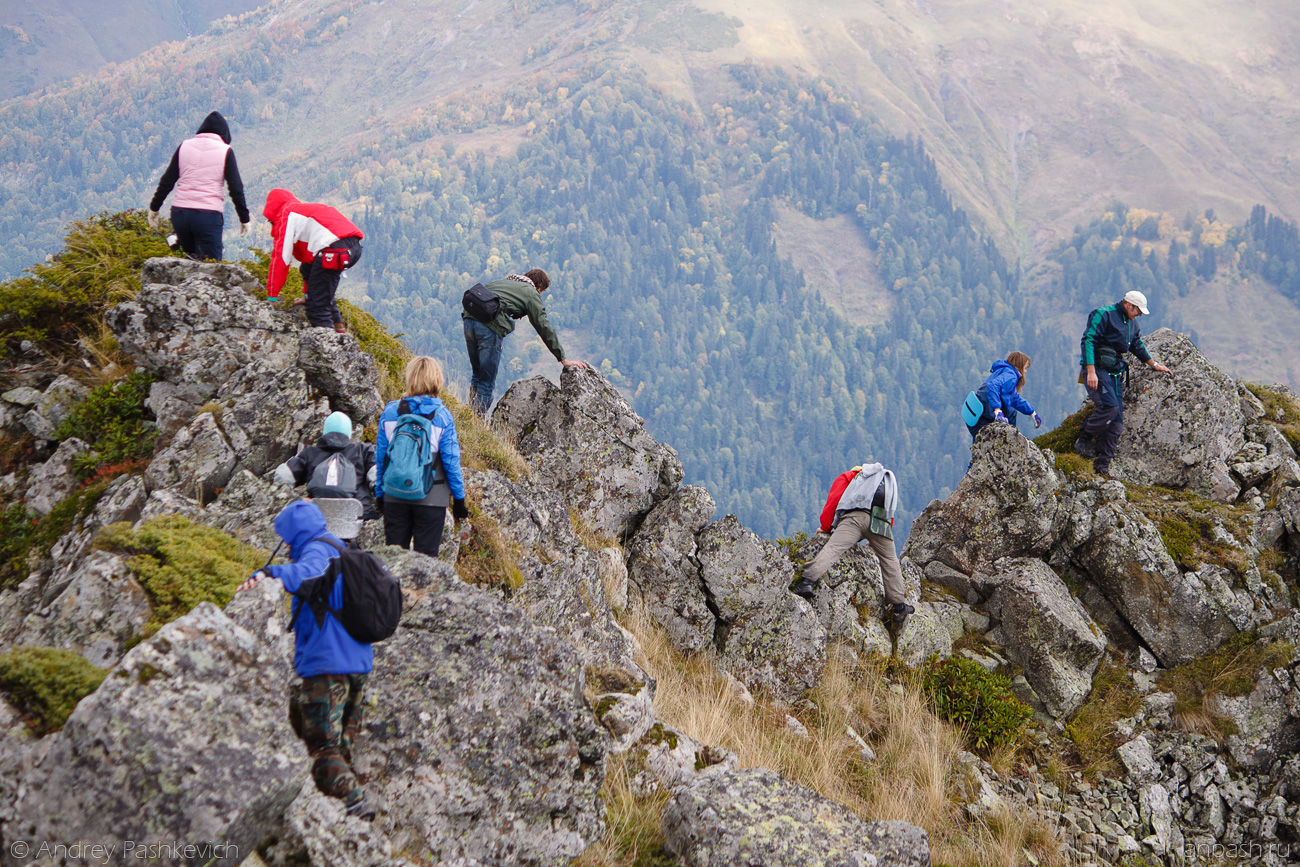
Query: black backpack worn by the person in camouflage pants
(372, 597)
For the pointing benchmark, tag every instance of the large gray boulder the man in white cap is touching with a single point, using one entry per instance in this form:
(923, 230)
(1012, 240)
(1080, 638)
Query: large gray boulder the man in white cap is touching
(1181, 428)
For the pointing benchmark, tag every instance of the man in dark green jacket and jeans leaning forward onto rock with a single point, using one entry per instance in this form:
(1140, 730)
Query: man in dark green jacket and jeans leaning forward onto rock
(521, 296)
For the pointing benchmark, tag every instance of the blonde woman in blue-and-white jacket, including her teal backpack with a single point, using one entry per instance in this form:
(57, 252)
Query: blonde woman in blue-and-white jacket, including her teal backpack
(419, 457)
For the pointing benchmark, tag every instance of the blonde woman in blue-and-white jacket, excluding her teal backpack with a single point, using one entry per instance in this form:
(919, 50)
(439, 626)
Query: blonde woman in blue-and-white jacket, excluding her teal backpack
(422, 521)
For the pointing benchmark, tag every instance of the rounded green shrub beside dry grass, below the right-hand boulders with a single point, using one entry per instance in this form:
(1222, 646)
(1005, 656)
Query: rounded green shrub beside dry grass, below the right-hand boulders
(968, 695)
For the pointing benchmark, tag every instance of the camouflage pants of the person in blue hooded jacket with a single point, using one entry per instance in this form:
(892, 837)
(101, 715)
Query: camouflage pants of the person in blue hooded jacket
(327, 714)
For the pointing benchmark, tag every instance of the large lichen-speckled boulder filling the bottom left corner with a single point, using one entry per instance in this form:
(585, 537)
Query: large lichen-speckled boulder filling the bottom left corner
(188, 740)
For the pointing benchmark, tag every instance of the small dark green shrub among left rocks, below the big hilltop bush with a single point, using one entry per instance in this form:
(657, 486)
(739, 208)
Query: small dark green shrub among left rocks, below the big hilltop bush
(115, 422)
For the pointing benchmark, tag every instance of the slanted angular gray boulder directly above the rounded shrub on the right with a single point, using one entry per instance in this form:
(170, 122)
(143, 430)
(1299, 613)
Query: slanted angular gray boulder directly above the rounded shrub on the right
(1047, 632)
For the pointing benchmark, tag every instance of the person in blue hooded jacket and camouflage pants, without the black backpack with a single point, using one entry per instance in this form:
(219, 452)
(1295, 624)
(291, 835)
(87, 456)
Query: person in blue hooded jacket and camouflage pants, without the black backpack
(332, 664)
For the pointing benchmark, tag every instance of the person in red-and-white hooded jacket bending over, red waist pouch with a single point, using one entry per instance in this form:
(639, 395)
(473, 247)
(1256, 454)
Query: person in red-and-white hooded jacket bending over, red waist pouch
(319, 237)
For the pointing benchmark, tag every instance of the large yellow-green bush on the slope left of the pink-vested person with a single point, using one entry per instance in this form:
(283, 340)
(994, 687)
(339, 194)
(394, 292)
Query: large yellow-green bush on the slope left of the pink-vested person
(60, 301)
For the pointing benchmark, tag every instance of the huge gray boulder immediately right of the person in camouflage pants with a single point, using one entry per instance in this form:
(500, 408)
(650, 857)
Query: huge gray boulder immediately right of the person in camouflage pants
(480, 745)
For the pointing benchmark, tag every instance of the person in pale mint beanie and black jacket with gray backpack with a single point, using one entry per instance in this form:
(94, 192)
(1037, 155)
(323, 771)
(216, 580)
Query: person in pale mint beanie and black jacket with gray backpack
(318, 469)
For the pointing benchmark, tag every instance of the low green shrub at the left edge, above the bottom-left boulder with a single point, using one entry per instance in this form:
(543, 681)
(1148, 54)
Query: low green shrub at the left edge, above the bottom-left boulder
(46, 684)
